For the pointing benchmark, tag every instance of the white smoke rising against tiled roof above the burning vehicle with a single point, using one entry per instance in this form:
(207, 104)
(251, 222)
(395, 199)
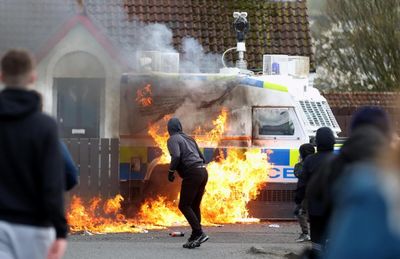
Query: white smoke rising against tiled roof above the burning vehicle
(138, 36)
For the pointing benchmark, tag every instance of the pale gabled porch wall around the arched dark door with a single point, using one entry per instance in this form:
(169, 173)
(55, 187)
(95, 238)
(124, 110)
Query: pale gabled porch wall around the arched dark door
(79, 39)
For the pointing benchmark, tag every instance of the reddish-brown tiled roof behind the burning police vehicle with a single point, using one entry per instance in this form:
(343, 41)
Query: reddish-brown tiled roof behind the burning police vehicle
(276, 27)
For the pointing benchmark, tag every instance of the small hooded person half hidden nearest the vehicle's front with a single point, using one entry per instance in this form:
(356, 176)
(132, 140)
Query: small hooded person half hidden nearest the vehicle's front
(300, 212)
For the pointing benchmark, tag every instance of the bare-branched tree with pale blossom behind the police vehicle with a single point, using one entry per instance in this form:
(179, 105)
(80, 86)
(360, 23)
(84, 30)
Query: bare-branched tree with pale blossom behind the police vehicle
(359, 50)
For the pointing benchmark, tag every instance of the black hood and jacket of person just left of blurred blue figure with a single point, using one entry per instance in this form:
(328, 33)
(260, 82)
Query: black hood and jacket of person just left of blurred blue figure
(325, 144)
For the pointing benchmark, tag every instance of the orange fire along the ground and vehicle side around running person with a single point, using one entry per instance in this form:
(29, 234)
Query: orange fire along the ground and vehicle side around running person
(233, 181)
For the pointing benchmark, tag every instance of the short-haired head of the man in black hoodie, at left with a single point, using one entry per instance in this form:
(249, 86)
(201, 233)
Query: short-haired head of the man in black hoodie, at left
(16, 65)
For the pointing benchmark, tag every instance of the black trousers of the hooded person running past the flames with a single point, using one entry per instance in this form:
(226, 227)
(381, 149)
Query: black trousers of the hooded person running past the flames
(192, 191)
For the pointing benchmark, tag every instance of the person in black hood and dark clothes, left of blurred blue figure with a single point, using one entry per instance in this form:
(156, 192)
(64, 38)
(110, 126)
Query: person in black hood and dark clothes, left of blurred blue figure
(325, 141)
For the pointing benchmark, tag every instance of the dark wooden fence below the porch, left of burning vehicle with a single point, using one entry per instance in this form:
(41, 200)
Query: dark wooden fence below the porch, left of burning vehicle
(98, 164)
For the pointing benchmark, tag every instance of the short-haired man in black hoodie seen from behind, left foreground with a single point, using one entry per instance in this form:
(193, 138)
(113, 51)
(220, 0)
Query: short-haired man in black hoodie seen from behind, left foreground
(32, 220)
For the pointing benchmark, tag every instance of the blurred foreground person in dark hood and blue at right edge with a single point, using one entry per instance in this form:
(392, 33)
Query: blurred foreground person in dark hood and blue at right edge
(362, 202)
